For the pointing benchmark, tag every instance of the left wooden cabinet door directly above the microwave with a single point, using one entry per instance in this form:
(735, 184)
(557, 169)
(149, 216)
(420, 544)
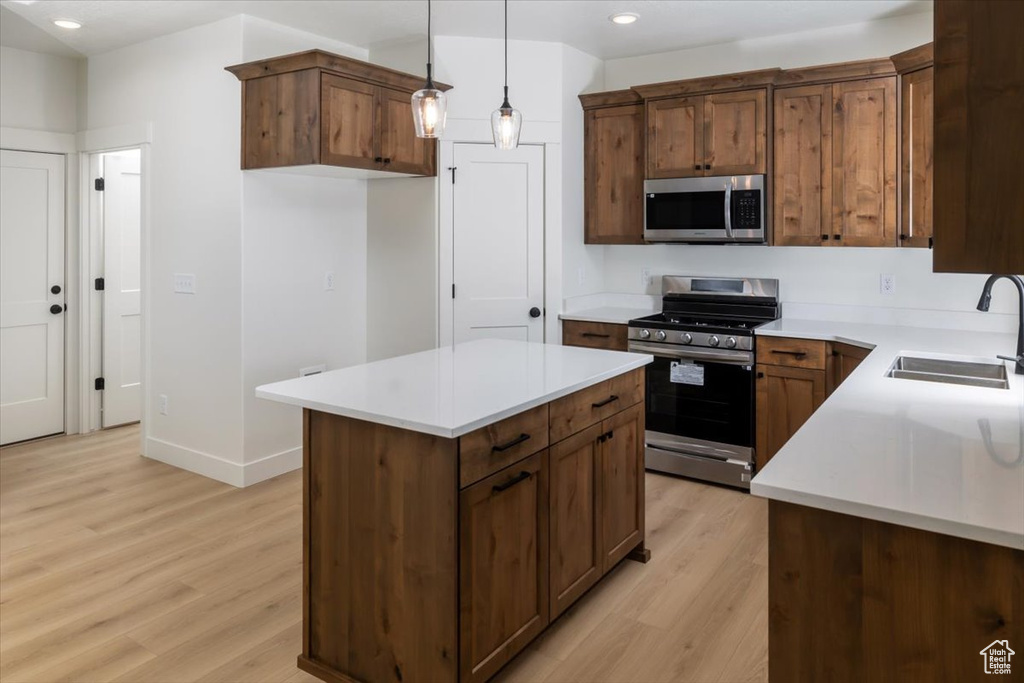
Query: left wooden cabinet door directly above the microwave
(675, 138)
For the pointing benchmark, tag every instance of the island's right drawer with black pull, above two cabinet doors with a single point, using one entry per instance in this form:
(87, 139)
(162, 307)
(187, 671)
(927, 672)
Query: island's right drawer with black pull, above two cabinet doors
(587, 407)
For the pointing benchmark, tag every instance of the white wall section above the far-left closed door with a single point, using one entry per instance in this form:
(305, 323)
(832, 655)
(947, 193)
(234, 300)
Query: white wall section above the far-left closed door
(38, 92)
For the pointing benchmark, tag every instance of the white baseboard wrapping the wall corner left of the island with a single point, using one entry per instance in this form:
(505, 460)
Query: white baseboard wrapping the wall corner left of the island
(237, 475)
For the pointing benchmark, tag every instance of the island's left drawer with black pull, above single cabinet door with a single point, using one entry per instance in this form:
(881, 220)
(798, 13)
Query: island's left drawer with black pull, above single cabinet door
(490, 449)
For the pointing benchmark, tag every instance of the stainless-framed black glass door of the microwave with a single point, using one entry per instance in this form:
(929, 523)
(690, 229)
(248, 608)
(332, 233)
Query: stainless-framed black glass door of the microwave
(688, 210)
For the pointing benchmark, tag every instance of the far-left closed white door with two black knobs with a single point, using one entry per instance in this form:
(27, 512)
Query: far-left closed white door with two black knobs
(32, 297)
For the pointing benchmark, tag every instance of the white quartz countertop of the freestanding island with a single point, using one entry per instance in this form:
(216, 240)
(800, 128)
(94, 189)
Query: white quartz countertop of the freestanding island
(453, 391)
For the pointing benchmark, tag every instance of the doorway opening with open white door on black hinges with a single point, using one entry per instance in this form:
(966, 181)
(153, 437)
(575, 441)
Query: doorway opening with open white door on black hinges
(115, 288)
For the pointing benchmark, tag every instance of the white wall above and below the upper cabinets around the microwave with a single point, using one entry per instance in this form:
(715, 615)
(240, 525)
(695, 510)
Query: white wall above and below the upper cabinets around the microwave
(844, 277)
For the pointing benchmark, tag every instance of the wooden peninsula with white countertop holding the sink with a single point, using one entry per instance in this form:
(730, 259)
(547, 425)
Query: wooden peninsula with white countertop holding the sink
(897, 517)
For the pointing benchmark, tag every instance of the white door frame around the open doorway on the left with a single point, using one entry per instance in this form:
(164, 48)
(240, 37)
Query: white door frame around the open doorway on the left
(94, 144)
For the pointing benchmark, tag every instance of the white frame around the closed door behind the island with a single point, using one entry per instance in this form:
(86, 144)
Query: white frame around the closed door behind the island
(552, 237)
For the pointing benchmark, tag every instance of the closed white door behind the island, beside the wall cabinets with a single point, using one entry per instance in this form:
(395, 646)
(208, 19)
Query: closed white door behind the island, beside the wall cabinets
(498, 233)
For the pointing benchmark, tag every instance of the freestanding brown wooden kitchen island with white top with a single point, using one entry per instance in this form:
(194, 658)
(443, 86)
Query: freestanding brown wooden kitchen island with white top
(457, 501)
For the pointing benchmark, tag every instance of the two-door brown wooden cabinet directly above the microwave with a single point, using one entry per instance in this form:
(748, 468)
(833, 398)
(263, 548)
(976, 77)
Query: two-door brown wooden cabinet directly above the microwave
(713, 135)
